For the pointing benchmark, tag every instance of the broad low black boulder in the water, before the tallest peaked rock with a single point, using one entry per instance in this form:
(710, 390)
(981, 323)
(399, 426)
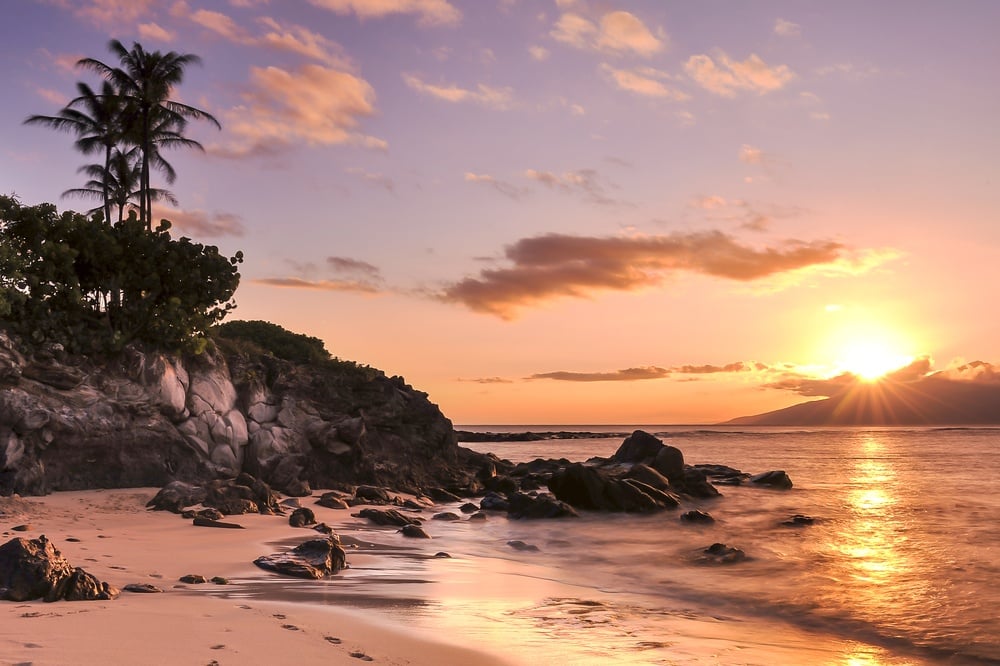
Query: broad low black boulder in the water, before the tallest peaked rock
(585, 488)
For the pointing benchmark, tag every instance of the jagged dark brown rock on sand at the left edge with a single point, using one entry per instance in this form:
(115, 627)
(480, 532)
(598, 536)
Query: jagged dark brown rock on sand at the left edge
(35, 569)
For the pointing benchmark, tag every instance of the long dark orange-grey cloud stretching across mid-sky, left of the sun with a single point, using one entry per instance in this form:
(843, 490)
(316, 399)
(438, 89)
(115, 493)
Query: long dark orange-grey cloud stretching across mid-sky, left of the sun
(557, 265)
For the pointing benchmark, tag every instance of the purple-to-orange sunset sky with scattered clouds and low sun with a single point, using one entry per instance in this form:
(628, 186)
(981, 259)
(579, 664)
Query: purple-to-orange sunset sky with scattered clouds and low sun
(573, 211)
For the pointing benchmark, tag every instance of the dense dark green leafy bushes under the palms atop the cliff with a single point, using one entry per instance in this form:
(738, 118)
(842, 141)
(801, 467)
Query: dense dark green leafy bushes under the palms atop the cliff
(95, 287)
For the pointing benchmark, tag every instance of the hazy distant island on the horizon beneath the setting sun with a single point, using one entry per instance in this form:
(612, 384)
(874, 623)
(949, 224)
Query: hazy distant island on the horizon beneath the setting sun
(932, 400)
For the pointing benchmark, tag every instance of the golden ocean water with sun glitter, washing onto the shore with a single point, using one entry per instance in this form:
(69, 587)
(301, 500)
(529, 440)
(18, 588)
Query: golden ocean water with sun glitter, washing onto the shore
(900, 566)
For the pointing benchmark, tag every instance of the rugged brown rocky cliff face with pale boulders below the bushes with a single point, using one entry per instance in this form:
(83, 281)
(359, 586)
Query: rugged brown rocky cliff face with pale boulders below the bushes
(147, 419)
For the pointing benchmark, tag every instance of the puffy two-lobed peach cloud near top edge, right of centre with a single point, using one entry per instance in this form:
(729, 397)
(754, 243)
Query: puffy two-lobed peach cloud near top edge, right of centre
(617, 32)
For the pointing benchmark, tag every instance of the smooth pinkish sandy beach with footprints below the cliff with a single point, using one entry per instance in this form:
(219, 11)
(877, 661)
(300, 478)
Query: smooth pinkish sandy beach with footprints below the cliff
(110, 534)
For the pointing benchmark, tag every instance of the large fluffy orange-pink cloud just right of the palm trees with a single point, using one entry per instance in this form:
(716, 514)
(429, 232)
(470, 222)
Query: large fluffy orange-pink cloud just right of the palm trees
(313, 104)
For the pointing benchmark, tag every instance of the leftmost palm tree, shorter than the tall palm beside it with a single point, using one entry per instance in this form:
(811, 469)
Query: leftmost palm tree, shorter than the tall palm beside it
(96, 119)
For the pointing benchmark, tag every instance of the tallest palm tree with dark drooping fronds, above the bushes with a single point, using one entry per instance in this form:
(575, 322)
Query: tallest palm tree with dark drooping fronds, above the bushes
(145, 81)
